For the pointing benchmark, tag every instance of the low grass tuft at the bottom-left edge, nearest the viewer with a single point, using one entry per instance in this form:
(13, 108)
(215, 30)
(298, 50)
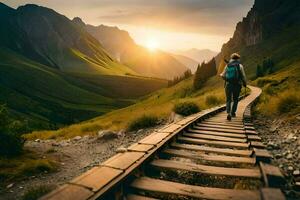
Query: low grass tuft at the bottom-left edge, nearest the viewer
(37, 192)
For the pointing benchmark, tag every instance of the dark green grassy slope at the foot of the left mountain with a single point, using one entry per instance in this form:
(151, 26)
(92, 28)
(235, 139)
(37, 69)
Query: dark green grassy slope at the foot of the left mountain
(46, 96)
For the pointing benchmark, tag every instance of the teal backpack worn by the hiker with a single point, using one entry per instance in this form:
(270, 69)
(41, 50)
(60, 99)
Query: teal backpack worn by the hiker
(233, 74)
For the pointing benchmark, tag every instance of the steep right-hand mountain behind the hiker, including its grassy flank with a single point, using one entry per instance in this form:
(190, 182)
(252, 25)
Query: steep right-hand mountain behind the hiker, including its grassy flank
(271, 29)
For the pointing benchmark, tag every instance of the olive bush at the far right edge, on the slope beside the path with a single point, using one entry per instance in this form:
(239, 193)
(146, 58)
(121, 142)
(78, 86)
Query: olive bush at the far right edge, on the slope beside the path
(288, 103)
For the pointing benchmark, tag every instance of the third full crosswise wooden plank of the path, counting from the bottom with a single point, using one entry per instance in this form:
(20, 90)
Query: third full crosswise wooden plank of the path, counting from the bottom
(234, 152)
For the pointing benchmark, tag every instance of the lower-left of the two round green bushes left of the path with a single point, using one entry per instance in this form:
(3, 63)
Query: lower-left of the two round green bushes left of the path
(145, 121)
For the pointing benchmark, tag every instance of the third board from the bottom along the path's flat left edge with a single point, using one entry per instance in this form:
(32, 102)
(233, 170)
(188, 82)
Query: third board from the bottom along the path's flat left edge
(123, 160)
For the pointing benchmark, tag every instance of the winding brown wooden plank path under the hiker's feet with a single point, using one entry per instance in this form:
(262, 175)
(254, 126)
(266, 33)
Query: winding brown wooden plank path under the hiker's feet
(203, 156)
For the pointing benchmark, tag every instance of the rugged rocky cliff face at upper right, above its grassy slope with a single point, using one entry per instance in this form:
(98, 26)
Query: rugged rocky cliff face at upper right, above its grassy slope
(266, 20)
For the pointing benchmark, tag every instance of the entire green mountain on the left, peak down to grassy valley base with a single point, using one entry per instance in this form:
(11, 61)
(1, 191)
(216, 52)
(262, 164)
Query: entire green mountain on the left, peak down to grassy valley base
(53, 73)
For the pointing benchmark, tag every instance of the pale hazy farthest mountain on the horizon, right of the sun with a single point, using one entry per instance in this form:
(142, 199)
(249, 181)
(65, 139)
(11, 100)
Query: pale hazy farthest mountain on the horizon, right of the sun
(203, 55)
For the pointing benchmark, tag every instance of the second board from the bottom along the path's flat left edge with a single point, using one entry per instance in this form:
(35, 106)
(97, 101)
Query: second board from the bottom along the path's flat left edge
(97, 177)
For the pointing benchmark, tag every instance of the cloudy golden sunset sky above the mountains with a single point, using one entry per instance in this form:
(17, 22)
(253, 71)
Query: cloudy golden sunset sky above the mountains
(165, 24)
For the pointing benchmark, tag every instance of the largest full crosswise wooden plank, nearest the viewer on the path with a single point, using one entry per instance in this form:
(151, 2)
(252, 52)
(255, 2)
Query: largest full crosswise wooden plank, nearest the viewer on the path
(168, 187)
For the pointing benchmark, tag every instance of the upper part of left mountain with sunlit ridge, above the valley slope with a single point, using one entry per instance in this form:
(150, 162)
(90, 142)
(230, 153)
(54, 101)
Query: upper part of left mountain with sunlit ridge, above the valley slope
(51, 39)
